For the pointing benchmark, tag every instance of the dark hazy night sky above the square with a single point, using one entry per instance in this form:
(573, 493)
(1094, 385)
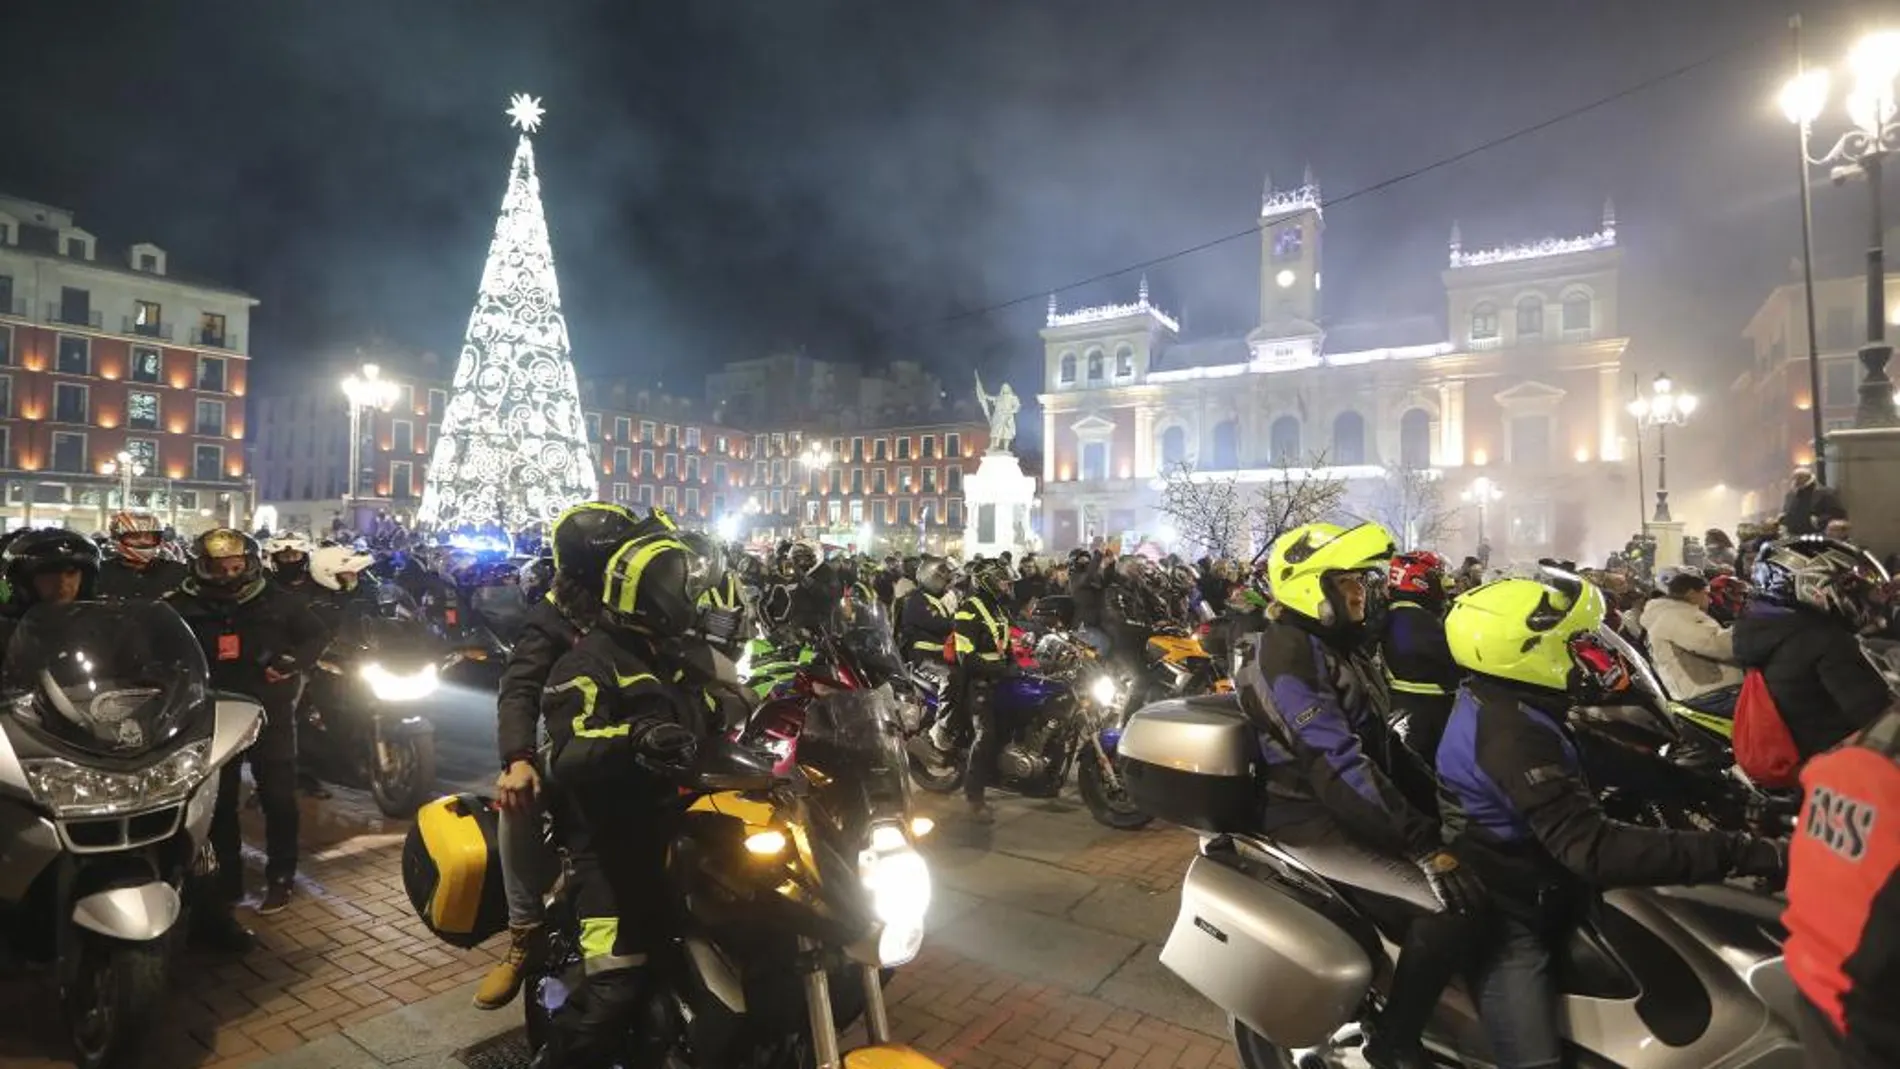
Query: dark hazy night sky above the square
(854, 178)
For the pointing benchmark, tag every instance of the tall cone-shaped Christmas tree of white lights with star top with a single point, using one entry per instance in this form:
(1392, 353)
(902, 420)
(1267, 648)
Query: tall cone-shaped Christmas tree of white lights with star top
(514, 443)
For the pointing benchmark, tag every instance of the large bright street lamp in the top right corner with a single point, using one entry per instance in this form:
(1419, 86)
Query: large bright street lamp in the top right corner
(1859, 153)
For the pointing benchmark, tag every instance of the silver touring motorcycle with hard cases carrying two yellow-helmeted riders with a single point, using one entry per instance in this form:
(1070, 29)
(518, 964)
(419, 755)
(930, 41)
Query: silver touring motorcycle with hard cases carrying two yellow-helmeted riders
(1283, 943)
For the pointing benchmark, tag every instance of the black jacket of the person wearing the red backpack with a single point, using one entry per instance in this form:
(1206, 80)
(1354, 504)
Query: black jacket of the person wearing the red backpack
(1823, 683)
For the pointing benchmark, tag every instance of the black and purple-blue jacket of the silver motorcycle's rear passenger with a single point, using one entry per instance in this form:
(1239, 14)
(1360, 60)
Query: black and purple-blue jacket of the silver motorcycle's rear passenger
(1327, 747)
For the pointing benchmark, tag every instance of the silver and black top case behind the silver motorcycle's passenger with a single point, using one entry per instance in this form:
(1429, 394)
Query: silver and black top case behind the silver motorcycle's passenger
(1190, 762)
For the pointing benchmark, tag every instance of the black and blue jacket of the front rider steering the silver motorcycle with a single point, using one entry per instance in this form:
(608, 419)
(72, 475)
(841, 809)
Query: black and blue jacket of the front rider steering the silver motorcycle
(1517, 808)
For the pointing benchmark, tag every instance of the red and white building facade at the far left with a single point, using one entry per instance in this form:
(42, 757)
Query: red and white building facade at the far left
(121, 383)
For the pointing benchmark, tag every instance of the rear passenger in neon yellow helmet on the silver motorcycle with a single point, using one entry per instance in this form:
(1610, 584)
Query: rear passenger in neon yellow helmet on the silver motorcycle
(1337, 774)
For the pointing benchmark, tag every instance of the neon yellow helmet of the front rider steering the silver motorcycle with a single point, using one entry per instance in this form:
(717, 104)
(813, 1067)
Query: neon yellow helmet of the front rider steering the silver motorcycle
(1532, 631)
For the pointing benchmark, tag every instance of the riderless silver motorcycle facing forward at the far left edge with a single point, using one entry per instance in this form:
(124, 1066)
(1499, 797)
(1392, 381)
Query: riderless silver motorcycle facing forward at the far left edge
(109, 774)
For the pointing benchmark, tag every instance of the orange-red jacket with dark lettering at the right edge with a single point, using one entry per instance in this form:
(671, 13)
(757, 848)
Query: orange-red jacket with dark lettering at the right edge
(1844, 893)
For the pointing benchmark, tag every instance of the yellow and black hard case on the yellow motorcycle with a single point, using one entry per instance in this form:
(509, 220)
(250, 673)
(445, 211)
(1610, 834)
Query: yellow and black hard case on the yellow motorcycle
(453, 871)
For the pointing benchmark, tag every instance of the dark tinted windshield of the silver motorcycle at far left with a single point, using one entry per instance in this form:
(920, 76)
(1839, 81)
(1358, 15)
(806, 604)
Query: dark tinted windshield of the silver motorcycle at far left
(105, 679)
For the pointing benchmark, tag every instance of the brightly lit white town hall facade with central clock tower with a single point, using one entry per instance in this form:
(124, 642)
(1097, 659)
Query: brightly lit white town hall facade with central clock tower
(1523, 388)
